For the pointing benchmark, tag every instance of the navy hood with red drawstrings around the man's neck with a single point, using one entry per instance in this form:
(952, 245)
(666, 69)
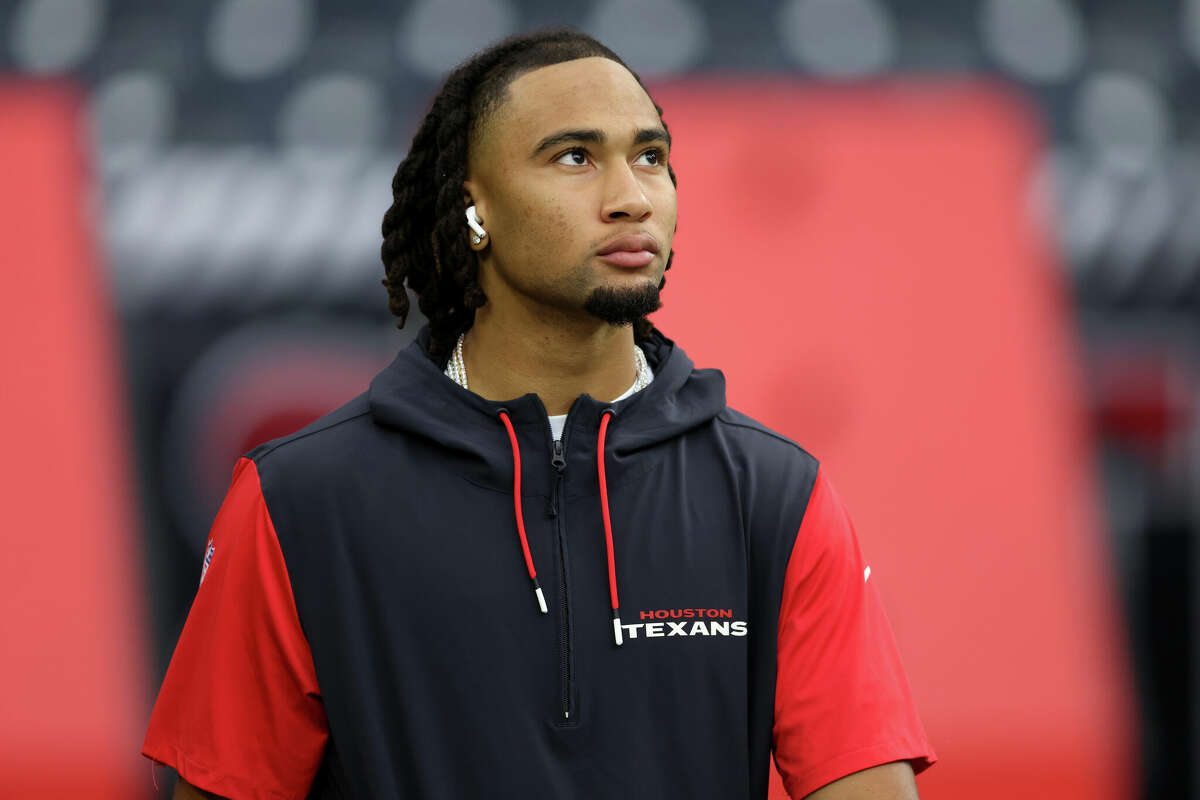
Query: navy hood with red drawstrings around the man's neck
(507, 444)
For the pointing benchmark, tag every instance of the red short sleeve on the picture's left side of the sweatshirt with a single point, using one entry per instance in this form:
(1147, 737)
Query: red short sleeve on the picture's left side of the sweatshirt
(239, 713)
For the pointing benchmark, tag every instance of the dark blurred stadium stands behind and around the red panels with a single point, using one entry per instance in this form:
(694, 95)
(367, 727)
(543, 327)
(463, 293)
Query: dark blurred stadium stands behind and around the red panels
(245, 148)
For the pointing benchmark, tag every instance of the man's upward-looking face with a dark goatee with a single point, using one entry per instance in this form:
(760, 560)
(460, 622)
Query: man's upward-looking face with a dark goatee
(574, 161)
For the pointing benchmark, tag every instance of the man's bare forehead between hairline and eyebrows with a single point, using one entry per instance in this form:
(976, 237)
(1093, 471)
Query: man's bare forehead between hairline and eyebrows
(592, 93)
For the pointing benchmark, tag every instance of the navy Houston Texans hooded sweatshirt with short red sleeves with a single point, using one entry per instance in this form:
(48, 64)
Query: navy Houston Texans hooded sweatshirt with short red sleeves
(422, 596)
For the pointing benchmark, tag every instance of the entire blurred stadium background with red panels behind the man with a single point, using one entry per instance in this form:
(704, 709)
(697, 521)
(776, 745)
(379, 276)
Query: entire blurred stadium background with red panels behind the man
(975, 225)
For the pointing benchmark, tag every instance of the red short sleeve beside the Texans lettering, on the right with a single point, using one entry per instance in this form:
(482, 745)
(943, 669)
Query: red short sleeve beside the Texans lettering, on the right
(843, 702)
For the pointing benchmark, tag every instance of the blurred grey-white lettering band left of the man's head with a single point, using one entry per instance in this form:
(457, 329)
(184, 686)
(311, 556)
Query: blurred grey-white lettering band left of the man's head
(232, 230)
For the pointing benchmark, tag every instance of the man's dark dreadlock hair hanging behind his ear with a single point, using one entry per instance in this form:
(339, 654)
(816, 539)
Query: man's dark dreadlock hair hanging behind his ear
(424, 232)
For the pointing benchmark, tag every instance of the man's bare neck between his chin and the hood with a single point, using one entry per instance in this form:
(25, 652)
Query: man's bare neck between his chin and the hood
(509, 353)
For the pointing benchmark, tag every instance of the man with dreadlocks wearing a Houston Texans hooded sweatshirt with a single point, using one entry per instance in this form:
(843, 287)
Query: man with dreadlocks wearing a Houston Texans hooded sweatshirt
(539, 557)
